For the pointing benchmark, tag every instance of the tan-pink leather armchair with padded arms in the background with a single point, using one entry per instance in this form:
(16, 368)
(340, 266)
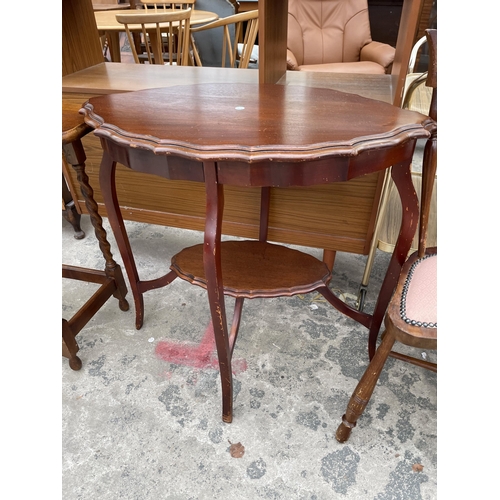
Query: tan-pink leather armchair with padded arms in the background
(334, 36)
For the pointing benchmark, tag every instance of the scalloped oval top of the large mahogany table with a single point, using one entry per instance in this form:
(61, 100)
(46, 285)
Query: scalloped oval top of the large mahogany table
(253, 122)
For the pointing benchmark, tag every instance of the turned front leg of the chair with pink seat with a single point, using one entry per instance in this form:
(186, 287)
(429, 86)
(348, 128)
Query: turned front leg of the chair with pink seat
(363, 392)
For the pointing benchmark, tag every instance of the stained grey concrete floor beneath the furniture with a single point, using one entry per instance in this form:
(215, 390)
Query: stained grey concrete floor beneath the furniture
(142, 418)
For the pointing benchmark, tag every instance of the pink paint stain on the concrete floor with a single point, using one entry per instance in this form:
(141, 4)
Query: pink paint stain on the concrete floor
(202, 356)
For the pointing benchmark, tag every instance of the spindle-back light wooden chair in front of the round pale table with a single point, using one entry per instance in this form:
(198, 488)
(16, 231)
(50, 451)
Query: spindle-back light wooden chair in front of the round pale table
(174, 24)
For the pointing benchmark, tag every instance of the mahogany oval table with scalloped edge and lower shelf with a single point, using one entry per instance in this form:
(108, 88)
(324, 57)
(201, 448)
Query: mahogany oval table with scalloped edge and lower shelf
(257, 136)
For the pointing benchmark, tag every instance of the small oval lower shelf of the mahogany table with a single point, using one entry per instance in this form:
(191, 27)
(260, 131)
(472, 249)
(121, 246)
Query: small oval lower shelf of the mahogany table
(253, 269)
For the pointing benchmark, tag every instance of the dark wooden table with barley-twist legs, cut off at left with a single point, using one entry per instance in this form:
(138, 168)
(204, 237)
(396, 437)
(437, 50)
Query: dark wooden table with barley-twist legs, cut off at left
(111, 278)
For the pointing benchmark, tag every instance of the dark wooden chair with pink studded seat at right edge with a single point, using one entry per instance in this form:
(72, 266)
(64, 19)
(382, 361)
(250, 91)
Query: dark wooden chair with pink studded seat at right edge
(411, 317)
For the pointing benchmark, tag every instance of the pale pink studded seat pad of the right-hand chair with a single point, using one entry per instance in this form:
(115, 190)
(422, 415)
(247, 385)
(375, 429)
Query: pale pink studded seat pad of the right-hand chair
(419, 297)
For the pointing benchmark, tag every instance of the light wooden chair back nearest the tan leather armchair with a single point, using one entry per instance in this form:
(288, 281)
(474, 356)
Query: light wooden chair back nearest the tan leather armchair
(237, 44)
